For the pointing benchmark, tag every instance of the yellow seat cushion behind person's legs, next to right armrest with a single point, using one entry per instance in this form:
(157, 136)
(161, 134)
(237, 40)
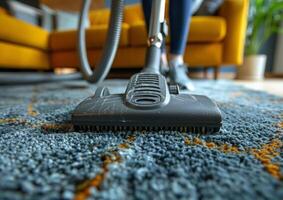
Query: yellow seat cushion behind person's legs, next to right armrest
(202, 29)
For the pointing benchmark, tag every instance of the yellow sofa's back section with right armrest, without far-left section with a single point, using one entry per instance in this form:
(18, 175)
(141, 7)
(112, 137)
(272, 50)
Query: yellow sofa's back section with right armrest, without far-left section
(213, 40)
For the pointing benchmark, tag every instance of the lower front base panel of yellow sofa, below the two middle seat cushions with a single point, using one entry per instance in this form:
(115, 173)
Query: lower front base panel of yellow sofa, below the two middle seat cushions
(134, 57)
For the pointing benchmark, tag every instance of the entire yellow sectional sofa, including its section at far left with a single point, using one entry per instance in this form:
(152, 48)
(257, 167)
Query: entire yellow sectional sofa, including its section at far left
(213, 40)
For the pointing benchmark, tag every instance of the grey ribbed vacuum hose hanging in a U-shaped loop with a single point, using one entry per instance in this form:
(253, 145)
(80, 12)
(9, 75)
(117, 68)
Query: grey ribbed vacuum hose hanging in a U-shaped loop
(112, 41)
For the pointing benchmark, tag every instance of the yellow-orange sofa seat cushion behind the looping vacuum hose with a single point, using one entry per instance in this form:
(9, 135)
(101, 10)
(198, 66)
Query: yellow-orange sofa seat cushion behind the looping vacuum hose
(95, 38)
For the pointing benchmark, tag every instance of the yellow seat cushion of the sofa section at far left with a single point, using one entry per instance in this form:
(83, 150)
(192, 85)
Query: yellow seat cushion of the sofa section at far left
(19, 32)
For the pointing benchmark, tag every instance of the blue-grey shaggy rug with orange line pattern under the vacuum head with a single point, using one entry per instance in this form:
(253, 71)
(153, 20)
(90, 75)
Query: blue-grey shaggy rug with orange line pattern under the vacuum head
(41, 157)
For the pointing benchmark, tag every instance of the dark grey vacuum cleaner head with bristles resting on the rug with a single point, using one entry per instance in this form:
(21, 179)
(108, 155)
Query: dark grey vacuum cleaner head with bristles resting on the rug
(148, 104)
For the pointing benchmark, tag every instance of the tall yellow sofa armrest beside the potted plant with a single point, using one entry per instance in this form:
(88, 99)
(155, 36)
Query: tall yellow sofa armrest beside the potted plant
(236, 13)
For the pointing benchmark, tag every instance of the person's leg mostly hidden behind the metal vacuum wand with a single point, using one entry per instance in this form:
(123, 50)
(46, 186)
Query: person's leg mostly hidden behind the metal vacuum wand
(146, 5)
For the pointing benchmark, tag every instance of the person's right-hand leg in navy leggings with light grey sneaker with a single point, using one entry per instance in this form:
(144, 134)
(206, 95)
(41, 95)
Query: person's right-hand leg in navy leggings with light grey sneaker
(180, 15)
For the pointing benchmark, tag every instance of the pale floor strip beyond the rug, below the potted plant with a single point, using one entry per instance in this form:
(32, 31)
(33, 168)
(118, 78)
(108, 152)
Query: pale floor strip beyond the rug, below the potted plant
(272, 86)
